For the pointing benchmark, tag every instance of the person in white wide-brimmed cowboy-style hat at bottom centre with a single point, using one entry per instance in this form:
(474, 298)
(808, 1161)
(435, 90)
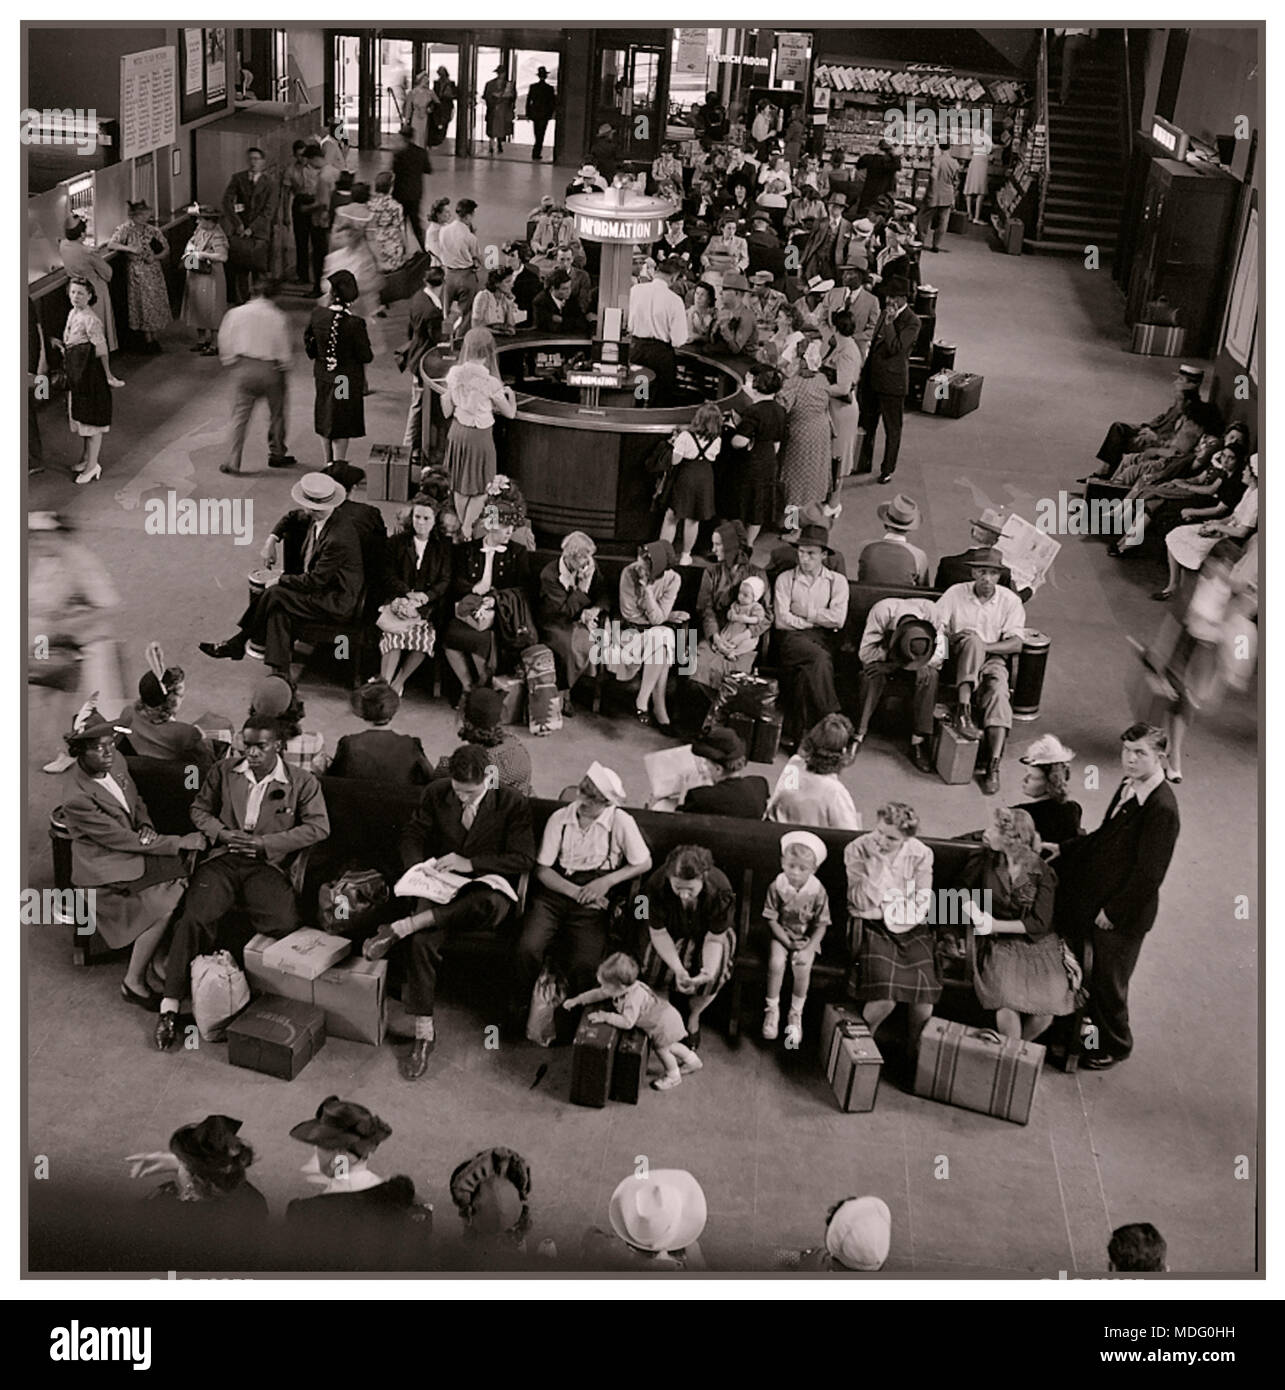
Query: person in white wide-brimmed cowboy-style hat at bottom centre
(657, 1220)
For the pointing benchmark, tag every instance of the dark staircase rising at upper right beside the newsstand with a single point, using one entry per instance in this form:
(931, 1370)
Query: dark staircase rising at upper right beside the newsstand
(1087, 156)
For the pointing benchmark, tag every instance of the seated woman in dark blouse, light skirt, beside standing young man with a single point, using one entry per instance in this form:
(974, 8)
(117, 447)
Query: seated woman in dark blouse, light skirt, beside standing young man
(1026, 974)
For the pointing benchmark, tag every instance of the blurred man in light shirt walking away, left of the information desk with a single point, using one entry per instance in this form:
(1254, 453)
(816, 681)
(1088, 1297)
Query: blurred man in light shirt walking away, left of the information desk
(255, 345)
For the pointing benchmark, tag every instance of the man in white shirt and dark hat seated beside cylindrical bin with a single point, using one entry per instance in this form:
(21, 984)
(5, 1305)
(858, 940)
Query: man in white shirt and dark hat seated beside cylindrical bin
(984, 625)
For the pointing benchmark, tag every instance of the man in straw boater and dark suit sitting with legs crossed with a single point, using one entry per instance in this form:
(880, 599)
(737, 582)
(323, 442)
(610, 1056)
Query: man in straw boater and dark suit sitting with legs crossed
(328, 589)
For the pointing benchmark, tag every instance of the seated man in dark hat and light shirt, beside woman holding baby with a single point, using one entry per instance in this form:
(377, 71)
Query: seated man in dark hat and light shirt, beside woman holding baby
(811, 610)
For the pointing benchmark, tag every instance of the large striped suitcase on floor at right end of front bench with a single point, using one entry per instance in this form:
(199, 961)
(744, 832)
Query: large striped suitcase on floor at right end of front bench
(978, 1070)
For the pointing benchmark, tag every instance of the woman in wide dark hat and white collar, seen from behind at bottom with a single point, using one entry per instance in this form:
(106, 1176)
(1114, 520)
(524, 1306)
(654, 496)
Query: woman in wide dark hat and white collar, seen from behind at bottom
(357, 1220)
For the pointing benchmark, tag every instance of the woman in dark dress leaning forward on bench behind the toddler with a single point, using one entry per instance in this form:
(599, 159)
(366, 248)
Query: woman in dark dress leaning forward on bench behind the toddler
(690, 946)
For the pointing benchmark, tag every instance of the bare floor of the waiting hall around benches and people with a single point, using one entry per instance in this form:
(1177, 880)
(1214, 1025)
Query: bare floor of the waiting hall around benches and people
(1156, 1140)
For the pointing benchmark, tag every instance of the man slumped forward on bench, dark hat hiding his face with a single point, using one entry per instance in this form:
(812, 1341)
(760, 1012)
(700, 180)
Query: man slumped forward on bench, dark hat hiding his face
(903, 636)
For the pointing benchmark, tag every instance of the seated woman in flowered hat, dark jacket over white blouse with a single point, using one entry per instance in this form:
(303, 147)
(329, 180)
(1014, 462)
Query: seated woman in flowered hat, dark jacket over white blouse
(483, 569)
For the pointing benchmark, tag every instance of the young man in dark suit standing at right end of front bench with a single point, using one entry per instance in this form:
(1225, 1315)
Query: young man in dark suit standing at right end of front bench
(1110, 885)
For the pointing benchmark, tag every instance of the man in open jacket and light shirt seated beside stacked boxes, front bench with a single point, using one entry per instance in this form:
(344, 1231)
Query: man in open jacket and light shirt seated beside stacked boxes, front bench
(257, 814)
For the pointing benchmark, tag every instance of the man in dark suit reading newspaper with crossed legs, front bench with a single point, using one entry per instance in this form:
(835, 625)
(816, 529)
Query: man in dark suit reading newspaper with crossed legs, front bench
(472, 826)
